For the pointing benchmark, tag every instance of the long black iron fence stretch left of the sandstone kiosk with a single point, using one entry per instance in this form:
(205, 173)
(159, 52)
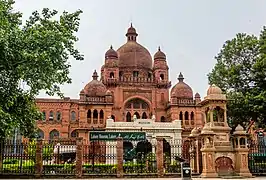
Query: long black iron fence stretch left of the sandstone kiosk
(98, 157)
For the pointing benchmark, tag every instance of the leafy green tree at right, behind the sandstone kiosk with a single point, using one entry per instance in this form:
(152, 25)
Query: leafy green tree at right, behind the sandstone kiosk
(240, 73)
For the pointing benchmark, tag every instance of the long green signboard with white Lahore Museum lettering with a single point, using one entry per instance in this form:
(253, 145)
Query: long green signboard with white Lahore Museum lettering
(112, 136)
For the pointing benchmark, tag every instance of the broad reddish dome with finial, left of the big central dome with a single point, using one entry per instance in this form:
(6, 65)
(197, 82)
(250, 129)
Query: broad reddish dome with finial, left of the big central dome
(95, 87)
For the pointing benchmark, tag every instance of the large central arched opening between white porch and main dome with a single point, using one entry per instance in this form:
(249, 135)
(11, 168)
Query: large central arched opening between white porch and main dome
(137, 107)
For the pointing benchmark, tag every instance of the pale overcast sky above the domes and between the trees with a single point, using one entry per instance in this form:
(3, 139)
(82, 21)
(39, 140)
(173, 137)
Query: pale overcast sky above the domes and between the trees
(190, 32)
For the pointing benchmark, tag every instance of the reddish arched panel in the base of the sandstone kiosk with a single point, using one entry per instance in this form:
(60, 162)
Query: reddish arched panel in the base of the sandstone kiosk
(224, 165)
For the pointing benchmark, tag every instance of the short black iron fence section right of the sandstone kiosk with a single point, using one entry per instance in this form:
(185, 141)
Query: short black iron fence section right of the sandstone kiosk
(257, 158)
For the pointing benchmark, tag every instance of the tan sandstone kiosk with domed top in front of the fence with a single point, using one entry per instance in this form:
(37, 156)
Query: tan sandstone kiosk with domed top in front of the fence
(223, 154)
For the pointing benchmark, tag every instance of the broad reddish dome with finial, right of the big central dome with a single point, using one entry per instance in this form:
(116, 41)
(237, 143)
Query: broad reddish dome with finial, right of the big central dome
(181, 89)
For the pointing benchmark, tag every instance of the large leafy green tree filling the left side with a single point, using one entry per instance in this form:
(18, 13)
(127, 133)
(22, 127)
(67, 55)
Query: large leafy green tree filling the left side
(35, 53)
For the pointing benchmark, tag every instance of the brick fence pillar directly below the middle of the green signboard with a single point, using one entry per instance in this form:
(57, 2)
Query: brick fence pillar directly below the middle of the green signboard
(119, 156)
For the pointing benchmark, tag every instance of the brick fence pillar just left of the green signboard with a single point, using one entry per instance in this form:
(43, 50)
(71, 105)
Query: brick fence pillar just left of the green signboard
(79, 157)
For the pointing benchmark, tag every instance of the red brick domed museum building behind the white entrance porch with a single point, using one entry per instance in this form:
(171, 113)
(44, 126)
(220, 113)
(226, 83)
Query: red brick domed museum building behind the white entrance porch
(131, 82)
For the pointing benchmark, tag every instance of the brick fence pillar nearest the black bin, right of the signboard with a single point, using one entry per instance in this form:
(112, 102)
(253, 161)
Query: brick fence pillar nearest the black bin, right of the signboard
(159, 157)
